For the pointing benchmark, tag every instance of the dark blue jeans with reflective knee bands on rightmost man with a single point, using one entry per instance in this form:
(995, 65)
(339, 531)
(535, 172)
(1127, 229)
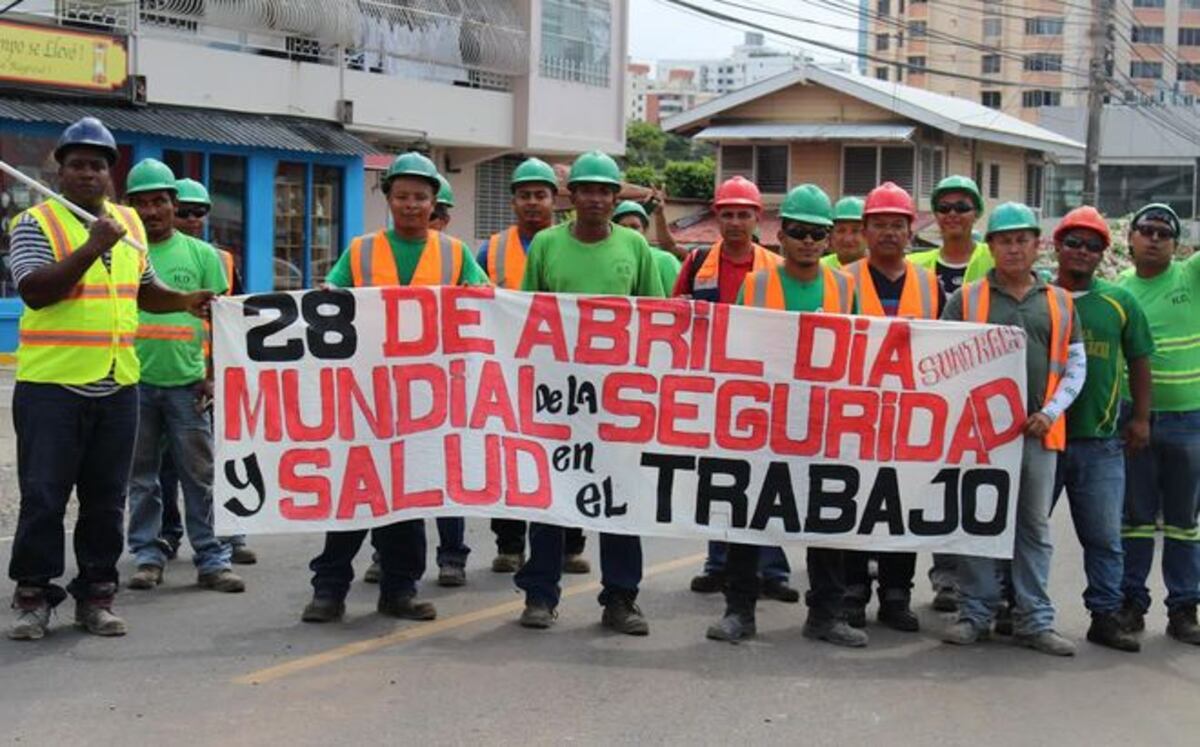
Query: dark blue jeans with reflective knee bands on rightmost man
(1165, 477)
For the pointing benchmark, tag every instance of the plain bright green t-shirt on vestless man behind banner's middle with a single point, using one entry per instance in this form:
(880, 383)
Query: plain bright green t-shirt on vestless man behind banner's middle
(622, 265)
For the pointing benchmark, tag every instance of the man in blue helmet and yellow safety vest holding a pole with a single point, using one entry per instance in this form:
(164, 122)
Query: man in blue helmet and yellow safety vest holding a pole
(75, 405)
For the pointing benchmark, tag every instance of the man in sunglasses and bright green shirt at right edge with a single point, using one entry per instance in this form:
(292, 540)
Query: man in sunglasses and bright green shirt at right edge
(1165, 480)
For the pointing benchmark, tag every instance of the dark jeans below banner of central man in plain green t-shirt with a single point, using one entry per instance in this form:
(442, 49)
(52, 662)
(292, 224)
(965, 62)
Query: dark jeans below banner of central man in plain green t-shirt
(621, 566)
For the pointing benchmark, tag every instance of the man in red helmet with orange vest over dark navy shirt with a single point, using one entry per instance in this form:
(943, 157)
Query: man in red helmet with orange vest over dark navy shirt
(887, 284)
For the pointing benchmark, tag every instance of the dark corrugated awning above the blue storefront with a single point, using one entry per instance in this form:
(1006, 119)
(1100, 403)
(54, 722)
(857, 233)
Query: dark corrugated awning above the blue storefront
(191, 124)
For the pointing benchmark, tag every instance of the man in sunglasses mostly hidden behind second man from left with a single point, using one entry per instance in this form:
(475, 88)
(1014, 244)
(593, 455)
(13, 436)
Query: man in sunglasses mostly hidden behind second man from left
(191, 214)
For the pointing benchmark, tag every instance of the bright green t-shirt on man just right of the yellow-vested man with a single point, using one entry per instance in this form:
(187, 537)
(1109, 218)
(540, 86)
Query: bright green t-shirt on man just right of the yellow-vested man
(171, 346)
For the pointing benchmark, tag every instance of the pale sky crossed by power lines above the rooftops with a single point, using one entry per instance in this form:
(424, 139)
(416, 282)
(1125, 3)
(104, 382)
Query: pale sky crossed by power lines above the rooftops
(658, 31)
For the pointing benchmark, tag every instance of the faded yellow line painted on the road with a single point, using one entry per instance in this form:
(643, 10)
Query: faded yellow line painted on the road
(427, 631)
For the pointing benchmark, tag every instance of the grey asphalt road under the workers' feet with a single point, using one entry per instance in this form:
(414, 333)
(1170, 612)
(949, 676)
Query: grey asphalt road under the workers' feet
(200, 667)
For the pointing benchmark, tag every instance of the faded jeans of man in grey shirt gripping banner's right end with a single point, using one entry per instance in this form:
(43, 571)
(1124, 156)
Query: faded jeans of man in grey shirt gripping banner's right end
(980, 578)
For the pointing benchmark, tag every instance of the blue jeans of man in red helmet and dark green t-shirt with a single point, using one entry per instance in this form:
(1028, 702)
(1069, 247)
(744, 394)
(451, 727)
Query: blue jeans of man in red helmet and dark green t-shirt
(1093, 471)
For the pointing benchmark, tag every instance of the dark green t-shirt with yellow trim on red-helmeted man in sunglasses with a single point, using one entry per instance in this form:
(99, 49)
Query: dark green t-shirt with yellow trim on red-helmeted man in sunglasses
(1115, 331)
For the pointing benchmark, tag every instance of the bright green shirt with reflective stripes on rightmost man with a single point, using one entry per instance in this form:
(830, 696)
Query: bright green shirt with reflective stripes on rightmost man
(1172, 303)
